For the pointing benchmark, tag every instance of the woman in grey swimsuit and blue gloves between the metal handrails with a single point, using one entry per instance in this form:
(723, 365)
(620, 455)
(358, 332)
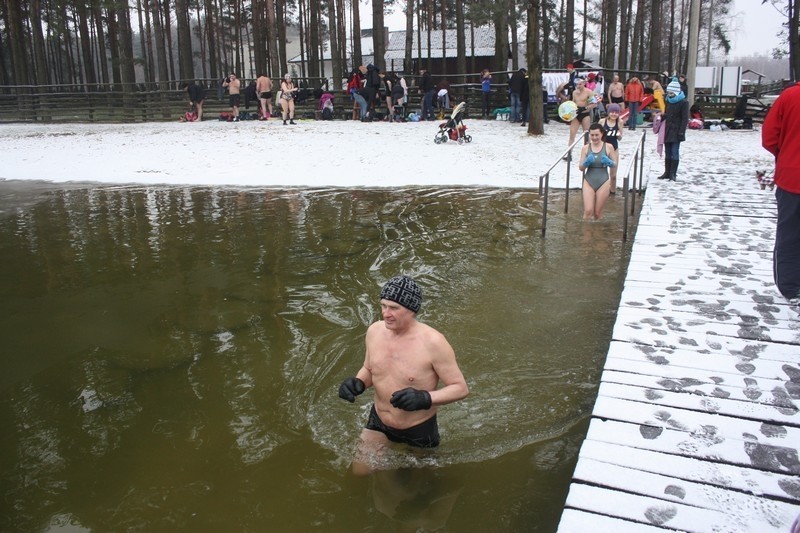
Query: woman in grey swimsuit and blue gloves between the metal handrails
(595, 159)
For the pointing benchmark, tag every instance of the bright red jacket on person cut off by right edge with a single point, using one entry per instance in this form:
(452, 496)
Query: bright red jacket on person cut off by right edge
(780, 134)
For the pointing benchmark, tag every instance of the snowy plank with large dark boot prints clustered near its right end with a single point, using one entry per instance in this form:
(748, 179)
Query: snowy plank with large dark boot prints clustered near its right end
(684, 437)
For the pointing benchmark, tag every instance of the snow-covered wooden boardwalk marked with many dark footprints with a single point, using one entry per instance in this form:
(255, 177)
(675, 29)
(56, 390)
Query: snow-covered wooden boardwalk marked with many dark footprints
(696, 424)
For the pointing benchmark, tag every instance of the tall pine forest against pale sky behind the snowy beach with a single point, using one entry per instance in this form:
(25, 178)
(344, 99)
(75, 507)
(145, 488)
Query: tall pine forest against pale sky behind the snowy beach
(158, 42)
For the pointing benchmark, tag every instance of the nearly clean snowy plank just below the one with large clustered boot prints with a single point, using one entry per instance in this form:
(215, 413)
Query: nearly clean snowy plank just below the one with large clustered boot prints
(743, 479)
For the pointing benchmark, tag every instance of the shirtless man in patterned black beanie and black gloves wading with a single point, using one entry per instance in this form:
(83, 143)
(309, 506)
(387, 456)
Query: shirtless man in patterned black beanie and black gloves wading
(405, 362)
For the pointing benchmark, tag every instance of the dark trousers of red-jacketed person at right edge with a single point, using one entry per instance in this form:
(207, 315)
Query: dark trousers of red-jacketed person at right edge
(786, 256)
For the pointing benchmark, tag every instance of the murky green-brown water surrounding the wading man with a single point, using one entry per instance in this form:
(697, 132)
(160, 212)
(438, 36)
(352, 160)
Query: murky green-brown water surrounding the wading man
(171, 355)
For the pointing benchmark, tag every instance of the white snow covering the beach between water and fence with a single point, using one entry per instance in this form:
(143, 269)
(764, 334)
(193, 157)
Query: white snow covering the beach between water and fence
(335, 153)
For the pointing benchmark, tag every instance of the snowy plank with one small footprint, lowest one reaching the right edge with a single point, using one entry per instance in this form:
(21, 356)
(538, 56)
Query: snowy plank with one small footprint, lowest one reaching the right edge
(760, 514)
